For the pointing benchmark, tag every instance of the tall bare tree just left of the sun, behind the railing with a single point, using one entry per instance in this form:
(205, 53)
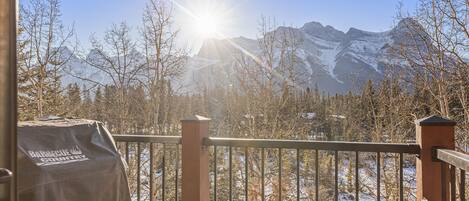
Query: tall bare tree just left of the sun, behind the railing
(165, 61)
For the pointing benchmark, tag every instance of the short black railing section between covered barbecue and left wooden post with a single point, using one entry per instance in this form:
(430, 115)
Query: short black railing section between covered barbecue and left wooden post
(147, 158)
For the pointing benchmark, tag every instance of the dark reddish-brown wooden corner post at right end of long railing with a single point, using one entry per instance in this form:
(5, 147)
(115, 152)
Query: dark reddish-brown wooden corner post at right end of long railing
(432, 132)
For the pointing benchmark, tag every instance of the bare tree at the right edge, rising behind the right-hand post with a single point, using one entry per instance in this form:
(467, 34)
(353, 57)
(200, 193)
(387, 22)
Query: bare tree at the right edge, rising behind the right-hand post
(437, 56)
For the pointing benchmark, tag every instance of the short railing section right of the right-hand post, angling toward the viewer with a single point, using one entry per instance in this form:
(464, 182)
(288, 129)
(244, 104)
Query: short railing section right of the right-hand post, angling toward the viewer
(453, 160)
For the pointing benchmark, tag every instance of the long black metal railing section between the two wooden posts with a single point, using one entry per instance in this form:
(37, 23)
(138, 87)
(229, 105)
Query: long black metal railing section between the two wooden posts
(298, 147)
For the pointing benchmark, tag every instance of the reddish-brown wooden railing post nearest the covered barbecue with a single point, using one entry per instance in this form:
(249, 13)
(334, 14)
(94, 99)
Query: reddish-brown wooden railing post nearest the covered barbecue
(195, 159)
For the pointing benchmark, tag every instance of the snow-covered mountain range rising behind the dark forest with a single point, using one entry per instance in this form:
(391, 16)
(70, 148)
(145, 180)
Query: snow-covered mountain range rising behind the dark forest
(333, 60)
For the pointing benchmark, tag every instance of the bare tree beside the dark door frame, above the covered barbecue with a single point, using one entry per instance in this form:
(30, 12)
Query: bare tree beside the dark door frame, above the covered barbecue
(44, 43)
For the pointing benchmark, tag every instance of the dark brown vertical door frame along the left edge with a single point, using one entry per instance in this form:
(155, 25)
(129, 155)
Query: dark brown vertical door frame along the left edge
(8, 96)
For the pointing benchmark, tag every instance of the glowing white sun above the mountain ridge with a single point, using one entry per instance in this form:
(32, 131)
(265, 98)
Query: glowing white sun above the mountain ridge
(207, 25)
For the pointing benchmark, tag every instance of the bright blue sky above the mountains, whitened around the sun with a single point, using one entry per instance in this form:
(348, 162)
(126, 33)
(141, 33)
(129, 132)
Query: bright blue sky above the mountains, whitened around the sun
(232, 18)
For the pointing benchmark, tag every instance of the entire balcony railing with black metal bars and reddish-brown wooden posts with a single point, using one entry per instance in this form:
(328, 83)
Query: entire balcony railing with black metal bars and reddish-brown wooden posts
(263, 169)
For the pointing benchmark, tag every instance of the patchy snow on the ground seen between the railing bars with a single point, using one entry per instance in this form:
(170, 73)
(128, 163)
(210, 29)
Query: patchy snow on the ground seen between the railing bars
(367, 175)
